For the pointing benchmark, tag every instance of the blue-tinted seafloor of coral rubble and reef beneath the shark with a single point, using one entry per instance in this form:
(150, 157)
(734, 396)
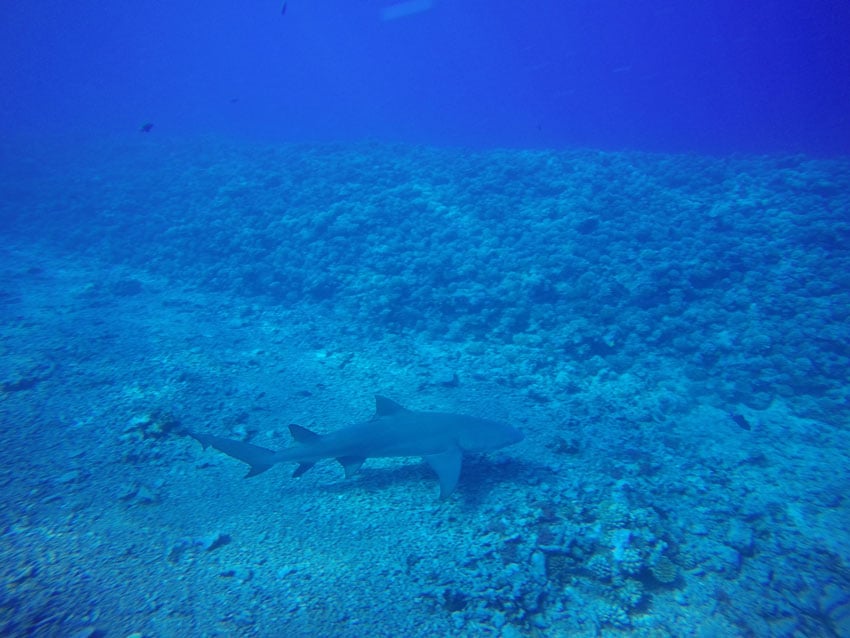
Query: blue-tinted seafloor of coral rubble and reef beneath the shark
(614, 306)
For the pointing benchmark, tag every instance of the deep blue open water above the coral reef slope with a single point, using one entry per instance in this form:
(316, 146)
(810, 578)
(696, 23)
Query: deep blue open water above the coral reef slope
(657, 75)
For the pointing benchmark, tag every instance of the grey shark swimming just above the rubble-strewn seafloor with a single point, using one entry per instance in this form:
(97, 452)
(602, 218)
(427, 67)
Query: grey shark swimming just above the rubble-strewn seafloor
(440, 438)
